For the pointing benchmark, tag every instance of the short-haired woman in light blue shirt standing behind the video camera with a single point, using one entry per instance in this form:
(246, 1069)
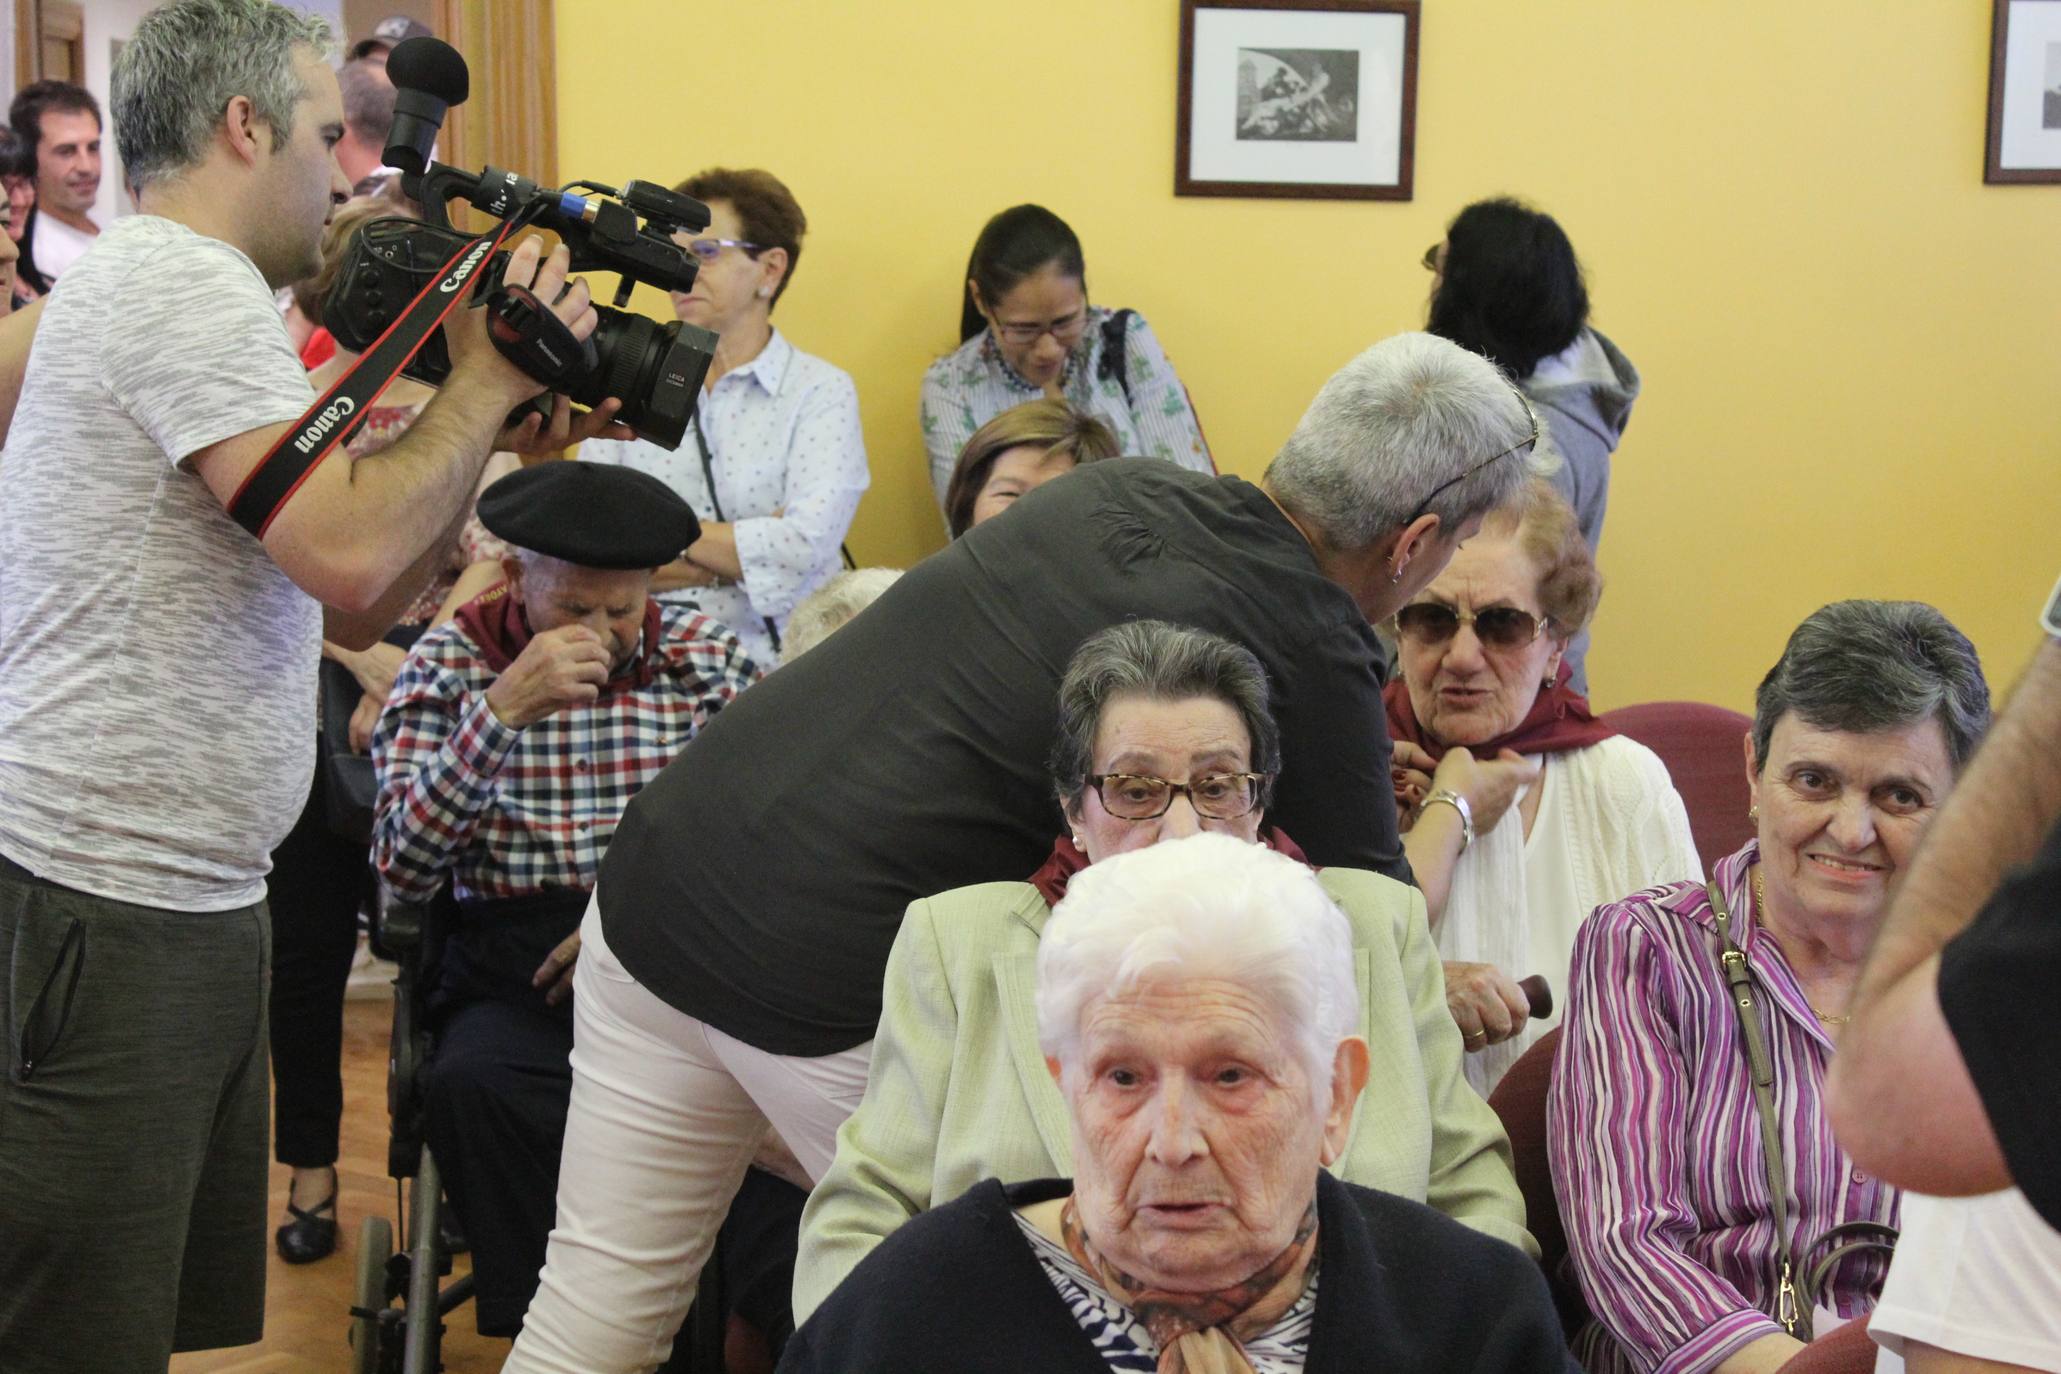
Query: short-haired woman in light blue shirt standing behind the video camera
(774, 462)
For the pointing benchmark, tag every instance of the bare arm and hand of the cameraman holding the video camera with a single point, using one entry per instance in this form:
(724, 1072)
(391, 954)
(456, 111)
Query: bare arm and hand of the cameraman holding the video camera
(356, 530)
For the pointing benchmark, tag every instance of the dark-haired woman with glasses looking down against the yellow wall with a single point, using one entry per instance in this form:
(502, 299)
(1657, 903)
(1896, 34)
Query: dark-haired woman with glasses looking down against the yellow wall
(1027, 331)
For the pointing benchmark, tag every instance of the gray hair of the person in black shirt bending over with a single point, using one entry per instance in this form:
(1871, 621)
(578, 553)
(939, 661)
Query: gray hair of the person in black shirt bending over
(1396, 425)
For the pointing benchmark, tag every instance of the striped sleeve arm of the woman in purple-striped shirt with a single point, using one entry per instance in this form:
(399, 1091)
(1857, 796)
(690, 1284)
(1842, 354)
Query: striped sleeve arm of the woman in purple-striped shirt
(1617, 1130)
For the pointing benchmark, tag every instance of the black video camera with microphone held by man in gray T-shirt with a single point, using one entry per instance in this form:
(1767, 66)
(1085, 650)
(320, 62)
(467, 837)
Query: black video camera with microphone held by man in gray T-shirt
(654, 370)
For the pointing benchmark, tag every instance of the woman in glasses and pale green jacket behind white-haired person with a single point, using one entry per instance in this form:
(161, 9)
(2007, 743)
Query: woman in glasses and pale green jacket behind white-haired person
(1163, 732)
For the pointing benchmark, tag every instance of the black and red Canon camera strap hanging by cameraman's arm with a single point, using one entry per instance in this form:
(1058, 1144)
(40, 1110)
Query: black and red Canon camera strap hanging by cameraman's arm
(279, 475)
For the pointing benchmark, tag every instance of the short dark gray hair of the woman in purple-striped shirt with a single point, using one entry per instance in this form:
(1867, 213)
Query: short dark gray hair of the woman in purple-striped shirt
(1870, 666)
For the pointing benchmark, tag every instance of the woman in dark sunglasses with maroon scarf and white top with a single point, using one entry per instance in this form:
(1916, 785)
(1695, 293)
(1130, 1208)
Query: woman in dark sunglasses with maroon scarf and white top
(1522, 811)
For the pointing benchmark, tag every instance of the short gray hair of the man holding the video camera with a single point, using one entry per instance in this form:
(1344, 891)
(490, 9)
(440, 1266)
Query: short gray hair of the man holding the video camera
(187, 63)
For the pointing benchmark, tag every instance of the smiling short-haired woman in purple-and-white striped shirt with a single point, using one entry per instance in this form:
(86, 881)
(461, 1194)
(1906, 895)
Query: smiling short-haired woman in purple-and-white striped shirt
(1687, 1126)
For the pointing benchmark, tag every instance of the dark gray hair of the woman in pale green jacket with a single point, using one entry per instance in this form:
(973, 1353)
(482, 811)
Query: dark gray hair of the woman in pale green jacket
(1161, 662)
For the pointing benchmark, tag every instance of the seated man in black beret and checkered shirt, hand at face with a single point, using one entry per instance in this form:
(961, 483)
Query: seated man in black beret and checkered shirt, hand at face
(508, 751)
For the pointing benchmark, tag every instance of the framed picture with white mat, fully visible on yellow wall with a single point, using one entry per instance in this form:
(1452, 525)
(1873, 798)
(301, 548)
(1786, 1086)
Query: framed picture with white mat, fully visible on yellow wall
(1297, 98)
